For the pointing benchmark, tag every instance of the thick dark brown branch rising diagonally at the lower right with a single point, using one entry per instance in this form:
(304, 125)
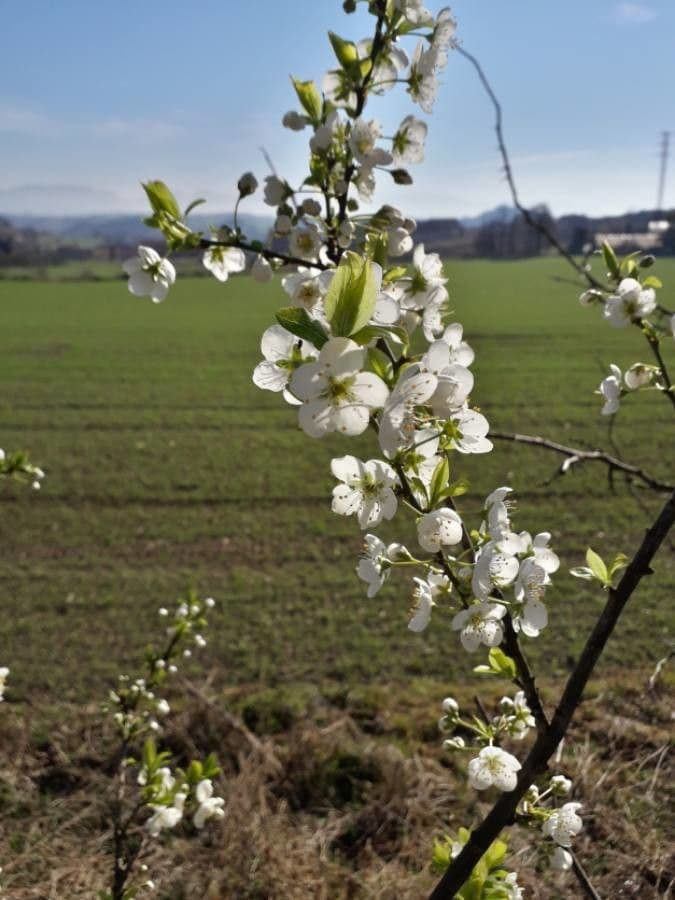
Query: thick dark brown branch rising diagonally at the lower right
(503, 812)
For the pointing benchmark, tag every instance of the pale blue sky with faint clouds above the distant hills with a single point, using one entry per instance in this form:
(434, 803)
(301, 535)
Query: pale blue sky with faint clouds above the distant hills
(97, 96)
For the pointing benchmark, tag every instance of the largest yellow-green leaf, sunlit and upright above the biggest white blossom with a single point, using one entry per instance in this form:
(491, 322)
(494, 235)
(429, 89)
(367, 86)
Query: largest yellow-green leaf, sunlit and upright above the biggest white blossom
(350, 300)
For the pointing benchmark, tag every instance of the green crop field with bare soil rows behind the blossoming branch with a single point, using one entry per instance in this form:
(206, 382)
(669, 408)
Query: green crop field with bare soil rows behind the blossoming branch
(167, 468)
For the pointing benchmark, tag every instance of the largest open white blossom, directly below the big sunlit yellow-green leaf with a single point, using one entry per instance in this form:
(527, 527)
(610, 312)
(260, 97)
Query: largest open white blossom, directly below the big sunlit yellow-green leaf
(336, 395)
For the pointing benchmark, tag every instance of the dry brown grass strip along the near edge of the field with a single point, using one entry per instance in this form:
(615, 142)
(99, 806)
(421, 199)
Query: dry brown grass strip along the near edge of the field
(343, 802)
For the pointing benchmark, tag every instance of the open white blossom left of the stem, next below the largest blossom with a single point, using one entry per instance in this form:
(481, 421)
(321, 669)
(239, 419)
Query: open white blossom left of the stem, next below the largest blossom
(366, 490)
